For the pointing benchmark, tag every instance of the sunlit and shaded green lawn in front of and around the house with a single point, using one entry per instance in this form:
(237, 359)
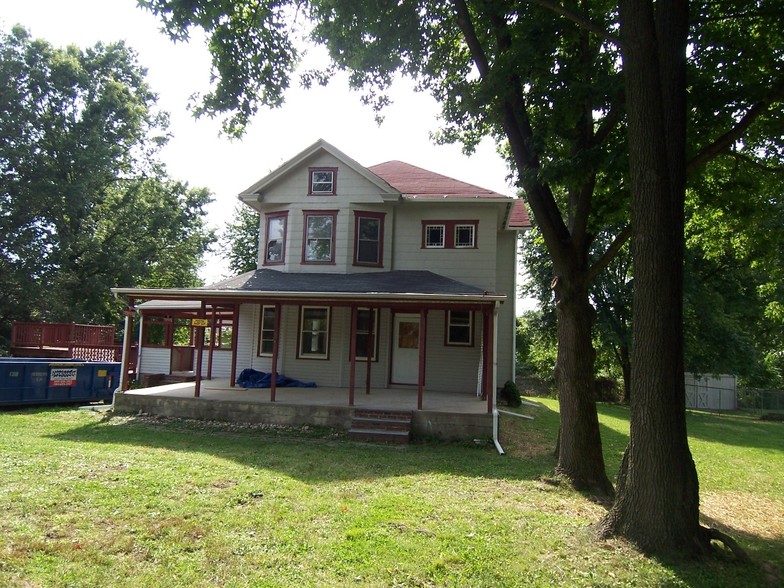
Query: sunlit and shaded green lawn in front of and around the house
(90, 499)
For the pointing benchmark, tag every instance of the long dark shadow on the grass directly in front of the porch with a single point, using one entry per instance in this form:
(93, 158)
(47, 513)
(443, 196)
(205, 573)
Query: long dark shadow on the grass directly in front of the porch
(308, 454)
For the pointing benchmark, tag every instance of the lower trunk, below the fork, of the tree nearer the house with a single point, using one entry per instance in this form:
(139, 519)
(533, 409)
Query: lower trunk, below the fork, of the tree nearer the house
(580, 456)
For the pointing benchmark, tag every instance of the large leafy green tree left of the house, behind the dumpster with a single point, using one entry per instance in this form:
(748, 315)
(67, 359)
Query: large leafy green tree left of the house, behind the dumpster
(84, 203)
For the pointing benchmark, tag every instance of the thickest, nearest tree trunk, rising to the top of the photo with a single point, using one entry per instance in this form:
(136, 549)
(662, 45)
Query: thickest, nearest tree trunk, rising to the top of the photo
(657, 500)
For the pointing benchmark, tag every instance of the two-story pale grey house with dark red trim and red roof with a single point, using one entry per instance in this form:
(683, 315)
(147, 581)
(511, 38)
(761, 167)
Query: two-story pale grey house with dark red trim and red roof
(367, 278)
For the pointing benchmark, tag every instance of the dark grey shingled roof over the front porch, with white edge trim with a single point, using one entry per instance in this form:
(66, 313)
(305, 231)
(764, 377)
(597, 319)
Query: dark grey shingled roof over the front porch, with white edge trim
(408, 285)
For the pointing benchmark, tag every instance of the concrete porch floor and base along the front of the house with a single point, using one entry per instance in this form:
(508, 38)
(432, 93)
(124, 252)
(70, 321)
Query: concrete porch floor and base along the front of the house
(444, 415)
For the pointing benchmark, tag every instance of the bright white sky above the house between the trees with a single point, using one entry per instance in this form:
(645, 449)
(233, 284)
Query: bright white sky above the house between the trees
(199, 155)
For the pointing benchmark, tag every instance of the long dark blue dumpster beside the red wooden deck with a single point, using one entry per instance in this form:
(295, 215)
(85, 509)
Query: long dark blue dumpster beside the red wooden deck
(29, 381)
